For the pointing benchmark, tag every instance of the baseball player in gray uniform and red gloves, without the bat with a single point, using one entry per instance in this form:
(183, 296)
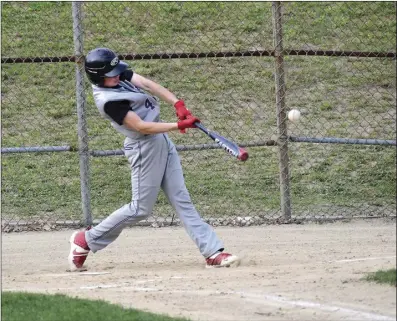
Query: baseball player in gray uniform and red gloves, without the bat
(131, 103)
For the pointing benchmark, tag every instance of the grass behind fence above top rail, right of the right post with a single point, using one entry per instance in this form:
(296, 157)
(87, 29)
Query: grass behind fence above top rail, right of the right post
(341, 25)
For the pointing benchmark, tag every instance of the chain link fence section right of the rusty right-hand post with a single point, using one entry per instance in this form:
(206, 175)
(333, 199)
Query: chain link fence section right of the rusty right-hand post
(349, 98)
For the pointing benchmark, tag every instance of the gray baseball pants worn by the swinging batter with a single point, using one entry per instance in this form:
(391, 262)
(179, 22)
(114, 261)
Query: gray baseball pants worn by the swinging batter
(154, 164)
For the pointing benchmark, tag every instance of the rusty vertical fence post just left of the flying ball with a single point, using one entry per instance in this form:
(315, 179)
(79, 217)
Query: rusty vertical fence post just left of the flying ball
(281, 112)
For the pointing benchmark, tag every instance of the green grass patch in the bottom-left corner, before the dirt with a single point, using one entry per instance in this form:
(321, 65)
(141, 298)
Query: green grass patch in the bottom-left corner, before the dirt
(17, 306)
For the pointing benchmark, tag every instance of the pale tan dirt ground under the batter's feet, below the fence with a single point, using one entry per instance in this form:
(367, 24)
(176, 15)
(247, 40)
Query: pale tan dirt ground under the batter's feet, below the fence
(288, 272)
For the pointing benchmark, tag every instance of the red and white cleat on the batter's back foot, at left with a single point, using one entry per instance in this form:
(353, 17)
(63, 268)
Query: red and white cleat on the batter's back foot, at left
(78, 252)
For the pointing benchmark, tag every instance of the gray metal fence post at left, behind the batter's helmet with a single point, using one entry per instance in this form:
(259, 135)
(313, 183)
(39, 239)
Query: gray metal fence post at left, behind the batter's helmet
(84, 155)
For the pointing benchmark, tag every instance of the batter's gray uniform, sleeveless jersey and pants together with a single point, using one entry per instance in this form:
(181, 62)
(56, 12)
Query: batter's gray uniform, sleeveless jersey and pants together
(154, 164)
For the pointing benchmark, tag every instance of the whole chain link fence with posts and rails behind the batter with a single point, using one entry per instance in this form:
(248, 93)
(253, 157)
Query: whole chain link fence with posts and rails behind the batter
(240, 67)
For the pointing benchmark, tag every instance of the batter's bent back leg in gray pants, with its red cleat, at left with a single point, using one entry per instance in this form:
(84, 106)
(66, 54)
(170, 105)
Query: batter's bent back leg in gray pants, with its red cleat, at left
(147, 160)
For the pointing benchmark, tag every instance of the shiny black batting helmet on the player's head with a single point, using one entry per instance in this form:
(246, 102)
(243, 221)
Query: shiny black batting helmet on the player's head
(101, 63)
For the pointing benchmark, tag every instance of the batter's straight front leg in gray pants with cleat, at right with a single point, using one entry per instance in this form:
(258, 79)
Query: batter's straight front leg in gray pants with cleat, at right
(202, 234)
